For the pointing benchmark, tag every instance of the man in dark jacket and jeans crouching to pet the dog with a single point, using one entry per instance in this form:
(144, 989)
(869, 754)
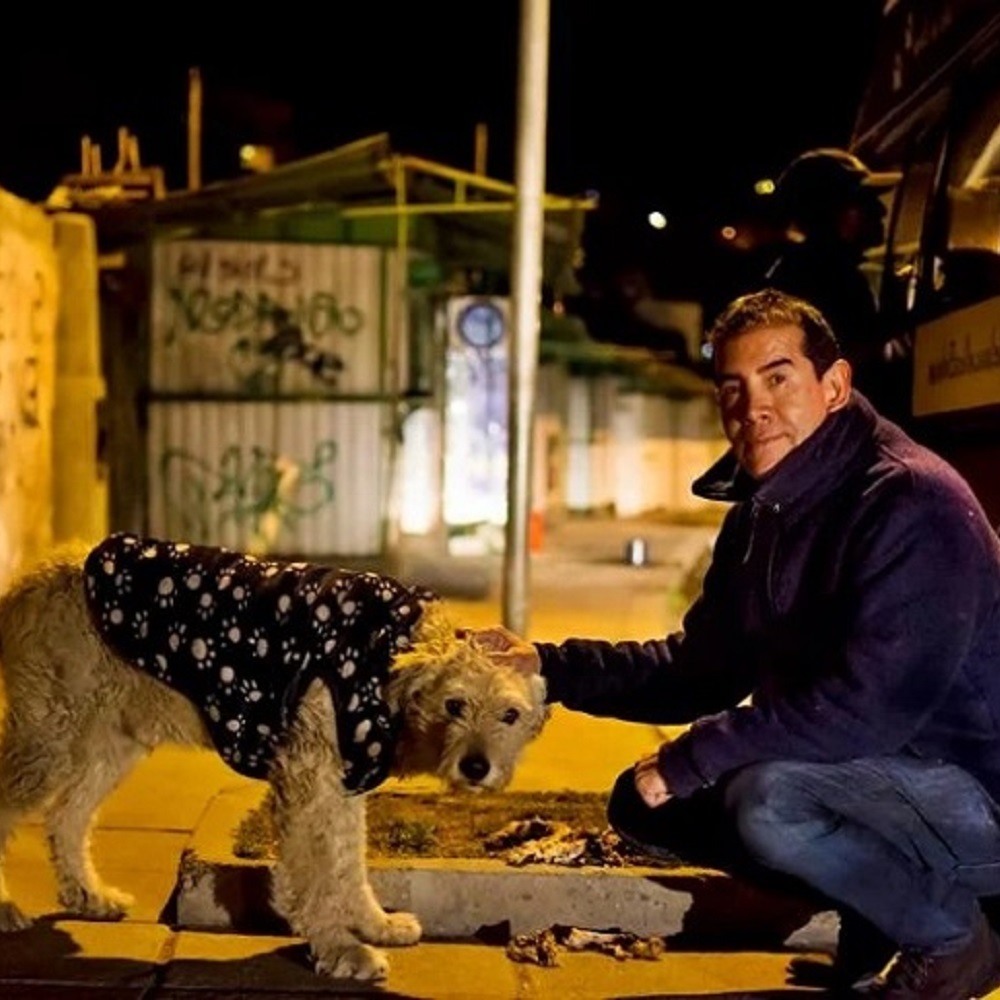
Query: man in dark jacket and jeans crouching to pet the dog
(840, 670)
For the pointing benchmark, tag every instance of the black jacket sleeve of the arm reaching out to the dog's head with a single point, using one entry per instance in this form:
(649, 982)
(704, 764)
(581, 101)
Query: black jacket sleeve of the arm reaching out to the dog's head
(662, 681)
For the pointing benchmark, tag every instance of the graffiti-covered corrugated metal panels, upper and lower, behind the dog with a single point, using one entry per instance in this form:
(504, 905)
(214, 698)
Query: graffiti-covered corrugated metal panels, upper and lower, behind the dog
(272, 394)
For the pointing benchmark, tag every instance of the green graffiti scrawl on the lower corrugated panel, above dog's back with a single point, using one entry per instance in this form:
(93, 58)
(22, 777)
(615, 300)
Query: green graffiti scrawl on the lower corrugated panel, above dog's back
(258, 490)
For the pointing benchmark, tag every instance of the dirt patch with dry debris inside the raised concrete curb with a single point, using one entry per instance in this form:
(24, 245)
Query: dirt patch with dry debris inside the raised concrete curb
(566, 828)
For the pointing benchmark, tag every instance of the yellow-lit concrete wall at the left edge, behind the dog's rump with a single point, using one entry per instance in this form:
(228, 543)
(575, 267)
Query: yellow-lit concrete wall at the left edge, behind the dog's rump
(50, 481)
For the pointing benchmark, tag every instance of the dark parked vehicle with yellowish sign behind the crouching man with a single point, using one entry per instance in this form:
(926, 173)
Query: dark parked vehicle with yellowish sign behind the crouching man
(931, 110)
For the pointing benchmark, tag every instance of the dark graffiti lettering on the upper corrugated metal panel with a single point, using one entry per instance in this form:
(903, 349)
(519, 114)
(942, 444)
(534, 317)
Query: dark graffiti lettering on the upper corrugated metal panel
(262, 307)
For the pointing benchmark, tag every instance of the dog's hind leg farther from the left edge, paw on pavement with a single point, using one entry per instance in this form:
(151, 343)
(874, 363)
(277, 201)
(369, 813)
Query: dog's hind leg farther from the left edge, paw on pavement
(109, 756)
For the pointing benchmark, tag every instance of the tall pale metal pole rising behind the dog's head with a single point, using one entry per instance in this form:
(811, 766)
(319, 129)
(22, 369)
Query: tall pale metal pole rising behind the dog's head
(526, 271)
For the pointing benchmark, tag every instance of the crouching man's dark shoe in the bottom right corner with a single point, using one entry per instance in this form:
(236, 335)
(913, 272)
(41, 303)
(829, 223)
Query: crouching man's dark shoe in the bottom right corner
(972, 971)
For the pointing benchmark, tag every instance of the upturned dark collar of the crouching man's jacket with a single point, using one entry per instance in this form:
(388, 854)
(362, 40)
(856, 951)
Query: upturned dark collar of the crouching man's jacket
(842, 443)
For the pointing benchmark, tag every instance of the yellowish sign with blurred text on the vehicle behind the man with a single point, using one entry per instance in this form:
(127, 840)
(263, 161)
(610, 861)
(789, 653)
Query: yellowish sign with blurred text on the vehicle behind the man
(956, 361)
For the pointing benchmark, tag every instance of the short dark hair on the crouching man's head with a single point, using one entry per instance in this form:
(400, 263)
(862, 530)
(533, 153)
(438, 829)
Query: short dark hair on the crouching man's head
(770, 307)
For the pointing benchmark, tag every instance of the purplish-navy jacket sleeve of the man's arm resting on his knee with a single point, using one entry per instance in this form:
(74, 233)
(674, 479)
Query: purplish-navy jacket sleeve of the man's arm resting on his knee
(919, 577)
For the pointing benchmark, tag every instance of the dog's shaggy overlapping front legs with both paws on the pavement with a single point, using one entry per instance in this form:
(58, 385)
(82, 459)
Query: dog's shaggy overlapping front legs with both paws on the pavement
(321, 881)
